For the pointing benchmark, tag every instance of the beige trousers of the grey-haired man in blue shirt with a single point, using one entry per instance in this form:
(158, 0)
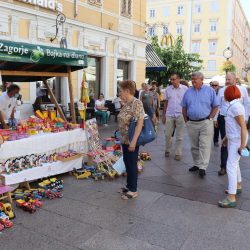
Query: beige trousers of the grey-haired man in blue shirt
(200, 134)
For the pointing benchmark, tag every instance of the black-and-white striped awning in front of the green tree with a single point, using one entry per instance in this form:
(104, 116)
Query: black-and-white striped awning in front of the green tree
(154, 63)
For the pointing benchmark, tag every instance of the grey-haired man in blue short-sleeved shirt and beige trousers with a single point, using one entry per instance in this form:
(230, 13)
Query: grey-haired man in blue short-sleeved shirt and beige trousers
(199, 106)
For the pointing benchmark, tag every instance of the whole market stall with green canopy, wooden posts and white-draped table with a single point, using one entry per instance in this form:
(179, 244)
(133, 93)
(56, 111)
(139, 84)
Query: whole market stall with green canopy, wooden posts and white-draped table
(32, 63)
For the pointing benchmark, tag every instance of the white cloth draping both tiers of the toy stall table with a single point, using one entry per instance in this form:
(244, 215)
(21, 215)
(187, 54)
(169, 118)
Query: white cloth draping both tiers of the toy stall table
(40, 144)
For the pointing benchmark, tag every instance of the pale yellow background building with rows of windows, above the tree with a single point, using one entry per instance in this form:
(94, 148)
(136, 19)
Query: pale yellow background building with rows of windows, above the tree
(208, 27)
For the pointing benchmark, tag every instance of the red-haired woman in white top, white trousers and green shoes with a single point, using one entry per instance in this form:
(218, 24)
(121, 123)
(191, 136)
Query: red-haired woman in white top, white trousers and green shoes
(236, 138)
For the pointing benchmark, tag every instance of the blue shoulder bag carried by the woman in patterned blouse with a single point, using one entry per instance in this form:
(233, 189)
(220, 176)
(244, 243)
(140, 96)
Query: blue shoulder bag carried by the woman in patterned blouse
(147, 134)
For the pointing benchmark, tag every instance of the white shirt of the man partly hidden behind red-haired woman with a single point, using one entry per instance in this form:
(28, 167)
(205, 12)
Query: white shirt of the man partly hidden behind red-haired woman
(245, 101)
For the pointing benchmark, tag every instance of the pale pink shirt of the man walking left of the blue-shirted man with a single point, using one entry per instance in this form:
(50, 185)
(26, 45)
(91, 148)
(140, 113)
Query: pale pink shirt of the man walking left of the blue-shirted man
(174, 97)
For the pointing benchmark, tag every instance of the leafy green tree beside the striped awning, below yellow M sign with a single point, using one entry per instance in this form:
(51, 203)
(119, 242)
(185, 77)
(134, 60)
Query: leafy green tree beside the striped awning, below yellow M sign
(176, 60)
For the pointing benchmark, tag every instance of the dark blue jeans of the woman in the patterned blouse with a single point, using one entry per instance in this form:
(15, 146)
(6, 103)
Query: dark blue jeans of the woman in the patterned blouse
(130, 160)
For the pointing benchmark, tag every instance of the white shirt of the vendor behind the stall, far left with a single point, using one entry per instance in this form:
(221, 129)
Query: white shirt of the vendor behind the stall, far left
(7, 104)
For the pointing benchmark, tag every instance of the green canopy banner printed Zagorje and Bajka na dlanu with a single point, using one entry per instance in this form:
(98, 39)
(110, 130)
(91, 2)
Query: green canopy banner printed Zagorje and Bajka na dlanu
(39, 54)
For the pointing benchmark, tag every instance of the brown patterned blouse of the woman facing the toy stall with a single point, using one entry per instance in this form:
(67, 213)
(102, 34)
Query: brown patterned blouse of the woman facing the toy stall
(129, 110)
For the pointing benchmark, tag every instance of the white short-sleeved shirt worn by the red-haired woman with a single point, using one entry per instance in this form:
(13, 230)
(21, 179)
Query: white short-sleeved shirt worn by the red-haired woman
(235, 108)
